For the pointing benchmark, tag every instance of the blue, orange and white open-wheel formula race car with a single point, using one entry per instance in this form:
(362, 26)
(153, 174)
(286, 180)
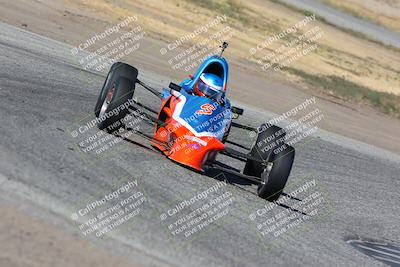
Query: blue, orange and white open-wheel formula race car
(193, 124)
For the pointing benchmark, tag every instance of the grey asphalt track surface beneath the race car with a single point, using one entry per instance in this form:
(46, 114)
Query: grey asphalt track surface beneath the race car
(44, 93)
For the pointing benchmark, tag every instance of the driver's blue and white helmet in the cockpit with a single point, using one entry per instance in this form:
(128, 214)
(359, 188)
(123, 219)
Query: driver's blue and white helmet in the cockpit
(209, 85)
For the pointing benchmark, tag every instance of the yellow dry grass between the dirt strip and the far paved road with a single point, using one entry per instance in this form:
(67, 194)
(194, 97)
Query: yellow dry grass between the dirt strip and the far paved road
(340, 54)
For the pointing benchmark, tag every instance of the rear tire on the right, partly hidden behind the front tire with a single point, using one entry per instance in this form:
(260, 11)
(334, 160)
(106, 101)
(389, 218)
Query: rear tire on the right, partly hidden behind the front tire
(269, 138)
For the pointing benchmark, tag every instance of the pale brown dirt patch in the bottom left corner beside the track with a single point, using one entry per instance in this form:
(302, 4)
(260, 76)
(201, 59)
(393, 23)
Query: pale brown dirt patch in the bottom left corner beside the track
(28, 242)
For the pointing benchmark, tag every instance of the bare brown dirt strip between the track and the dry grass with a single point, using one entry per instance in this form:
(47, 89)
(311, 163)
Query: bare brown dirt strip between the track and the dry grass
(73, 24)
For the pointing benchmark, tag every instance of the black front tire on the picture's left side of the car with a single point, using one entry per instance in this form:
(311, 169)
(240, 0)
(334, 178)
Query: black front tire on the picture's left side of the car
(117, 108)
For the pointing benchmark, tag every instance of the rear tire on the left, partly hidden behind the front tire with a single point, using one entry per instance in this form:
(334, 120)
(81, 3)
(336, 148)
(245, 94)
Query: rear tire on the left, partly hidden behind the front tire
(117, 70)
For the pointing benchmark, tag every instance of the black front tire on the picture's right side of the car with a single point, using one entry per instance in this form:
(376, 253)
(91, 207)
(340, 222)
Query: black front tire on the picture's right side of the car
(274, 179)
